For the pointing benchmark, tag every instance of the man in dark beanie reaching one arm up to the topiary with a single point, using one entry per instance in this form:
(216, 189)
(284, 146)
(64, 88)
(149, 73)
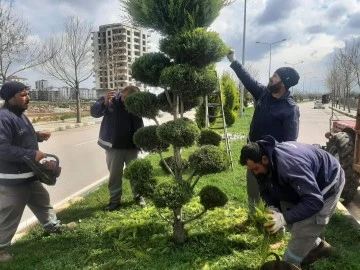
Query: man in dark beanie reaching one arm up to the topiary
(276, 113)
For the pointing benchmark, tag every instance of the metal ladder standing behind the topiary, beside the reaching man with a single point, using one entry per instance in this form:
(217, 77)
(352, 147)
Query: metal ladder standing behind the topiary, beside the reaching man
(217, 94)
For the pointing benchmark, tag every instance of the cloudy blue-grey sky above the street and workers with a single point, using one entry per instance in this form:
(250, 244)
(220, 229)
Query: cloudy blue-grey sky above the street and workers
(313, 29)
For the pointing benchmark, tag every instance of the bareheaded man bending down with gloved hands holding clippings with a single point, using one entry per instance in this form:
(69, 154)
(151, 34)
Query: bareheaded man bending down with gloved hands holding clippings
(305, 182)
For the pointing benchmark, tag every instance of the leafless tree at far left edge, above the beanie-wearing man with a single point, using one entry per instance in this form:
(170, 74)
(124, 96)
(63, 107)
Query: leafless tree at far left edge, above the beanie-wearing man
(18, 51)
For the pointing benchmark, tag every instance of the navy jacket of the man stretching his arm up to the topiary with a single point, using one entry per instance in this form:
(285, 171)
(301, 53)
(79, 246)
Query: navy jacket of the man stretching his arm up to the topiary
(278, 117)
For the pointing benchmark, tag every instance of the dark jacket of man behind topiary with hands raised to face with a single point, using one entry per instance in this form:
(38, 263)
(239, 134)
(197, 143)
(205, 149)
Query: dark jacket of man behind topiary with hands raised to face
(117, 126)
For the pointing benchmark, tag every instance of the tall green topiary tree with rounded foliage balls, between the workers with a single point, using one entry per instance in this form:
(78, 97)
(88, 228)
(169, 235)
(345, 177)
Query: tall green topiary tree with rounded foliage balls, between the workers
(185, 69)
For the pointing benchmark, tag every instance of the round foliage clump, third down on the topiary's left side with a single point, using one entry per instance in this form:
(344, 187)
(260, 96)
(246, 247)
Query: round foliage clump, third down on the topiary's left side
(147, 139)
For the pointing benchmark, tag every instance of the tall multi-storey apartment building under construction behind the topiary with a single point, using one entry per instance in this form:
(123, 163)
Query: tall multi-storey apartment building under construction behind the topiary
(115, 48)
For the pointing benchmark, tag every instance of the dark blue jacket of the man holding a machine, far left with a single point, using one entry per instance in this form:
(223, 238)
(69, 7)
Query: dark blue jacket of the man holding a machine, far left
(17, 139)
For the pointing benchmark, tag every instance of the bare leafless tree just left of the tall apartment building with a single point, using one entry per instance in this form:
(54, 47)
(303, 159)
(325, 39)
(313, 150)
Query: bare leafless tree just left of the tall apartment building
(72, 63)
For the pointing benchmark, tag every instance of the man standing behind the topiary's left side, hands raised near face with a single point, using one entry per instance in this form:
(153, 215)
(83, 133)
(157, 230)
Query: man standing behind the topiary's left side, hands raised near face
(116, 137)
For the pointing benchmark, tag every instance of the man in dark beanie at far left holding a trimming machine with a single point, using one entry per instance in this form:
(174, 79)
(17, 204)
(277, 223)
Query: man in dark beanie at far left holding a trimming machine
(19, 186)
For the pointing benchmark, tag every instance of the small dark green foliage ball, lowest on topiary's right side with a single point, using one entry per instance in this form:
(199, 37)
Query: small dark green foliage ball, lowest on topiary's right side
(211, 197)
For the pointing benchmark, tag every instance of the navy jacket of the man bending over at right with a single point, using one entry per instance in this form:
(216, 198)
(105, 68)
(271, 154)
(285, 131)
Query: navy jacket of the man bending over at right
(300, 174)
